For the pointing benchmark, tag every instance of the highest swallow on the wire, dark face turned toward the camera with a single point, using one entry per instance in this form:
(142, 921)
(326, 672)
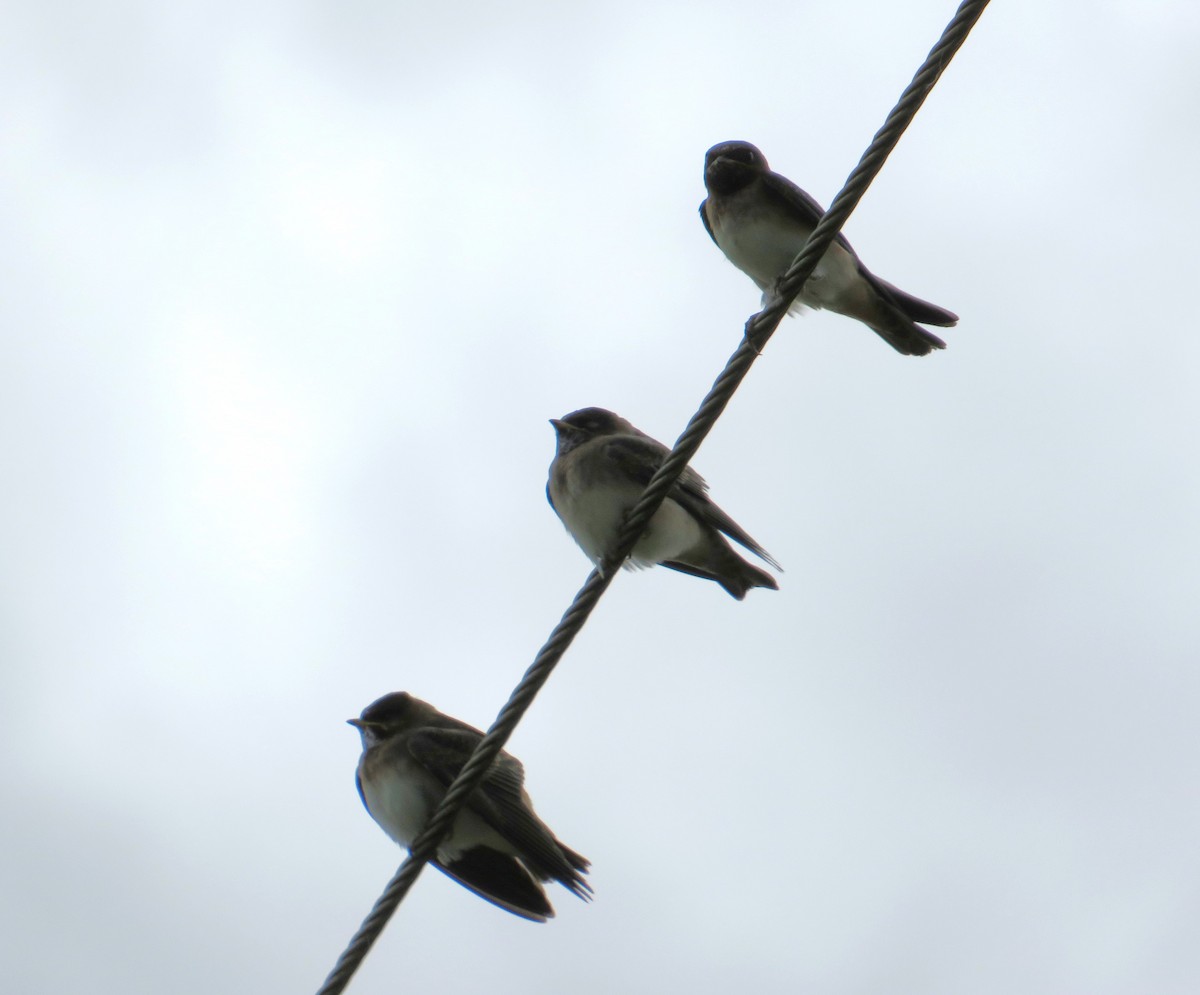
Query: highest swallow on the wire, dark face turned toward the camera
(761, 220)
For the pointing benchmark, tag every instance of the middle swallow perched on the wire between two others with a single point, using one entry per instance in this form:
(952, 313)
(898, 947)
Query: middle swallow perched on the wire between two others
(599, 472)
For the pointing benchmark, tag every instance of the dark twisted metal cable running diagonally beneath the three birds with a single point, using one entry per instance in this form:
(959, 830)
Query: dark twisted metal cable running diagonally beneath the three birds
(759, 329)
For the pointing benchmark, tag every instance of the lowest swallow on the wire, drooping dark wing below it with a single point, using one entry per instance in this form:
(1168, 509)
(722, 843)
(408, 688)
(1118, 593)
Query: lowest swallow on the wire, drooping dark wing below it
(499, 848)
